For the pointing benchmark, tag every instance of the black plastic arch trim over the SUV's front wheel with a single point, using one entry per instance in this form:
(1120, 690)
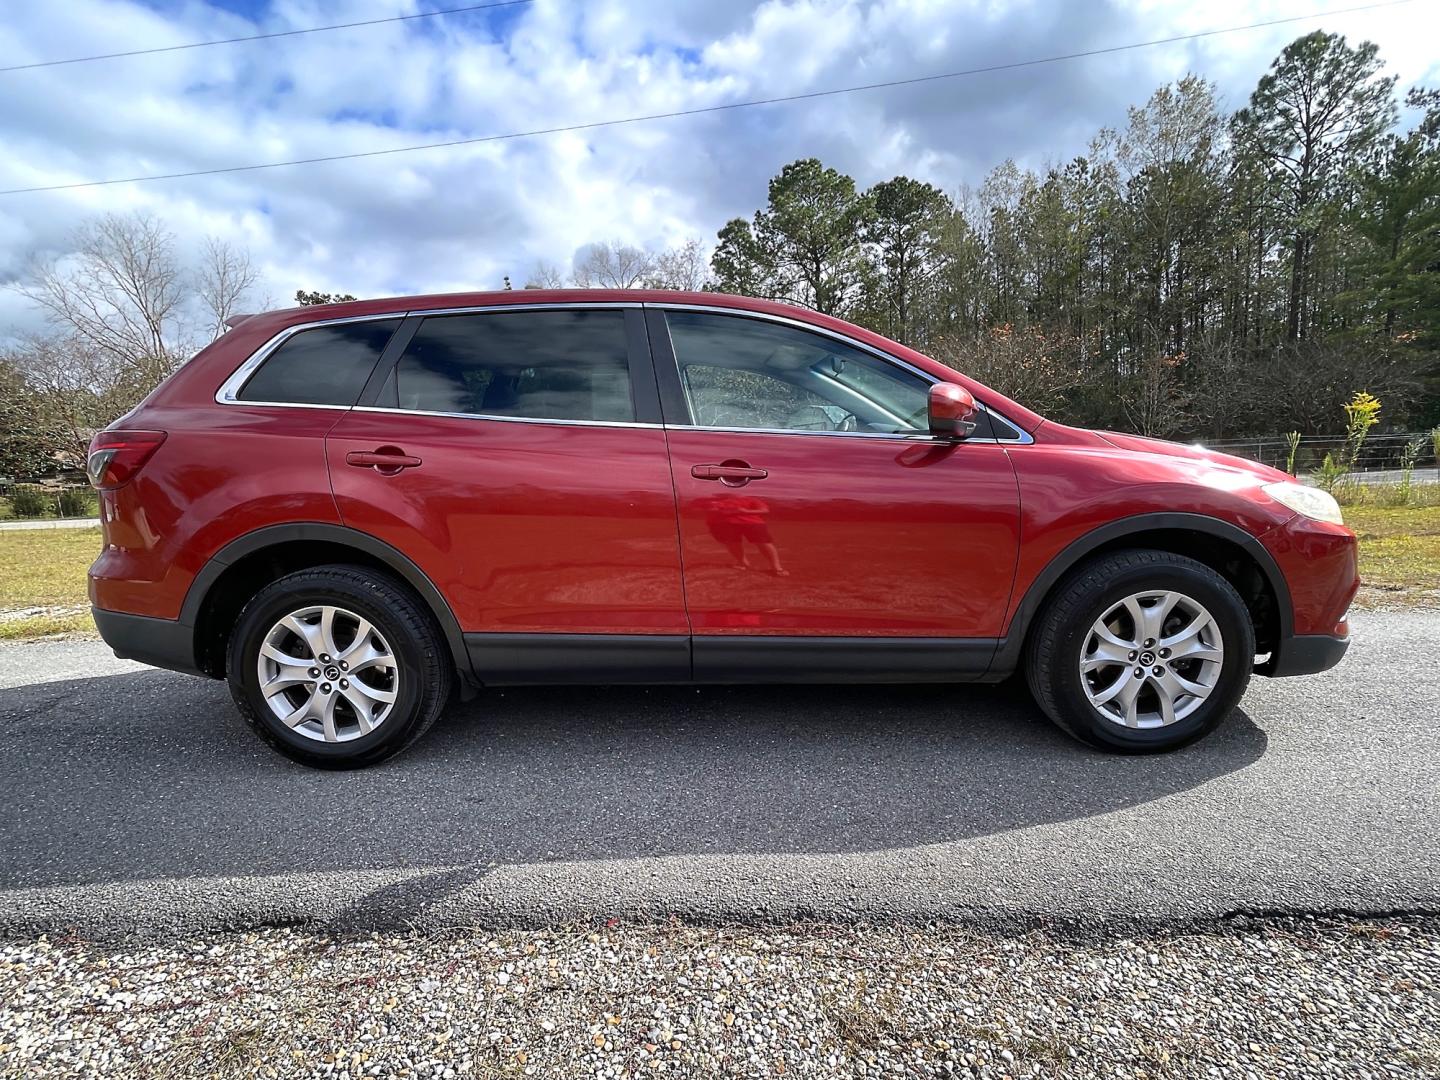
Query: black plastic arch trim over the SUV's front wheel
(1007, 657)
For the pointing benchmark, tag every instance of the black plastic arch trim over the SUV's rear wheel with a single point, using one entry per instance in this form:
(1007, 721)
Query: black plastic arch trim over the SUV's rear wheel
(392, 558)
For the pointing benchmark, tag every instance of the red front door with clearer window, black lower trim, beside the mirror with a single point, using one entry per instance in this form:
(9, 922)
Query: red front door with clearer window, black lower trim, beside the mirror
(823, 532)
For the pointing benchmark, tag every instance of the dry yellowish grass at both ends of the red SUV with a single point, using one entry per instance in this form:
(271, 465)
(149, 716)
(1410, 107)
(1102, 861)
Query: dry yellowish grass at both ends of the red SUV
(1399, 555)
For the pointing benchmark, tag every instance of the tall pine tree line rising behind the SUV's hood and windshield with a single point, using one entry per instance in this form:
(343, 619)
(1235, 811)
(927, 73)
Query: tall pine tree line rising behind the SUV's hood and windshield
(1194, 274)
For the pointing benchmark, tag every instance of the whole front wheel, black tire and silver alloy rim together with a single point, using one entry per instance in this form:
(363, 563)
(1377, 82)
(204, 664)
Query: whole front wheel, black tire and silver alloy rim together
(1141, 653)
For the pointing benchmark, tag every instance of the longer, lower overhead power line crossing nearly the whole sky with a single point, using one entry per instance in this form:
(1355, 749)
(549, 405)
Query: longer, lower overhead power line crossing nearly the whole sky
(701, 110)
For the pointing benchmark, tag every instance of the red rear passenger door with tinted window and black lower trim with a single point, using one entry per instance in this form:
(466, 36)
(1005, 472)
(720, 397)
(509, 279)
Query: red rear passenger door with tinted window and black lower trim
(518, 459)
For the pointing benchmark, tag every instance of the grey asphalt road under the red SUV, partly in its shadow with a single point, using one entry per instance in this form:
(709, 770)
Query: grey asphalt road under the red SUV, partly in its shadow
(136, 801)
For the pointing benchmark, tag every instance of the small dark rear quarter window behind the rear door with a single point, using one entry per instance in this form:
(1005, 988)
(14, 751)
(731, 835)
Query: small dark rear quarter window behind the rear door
(322, 366)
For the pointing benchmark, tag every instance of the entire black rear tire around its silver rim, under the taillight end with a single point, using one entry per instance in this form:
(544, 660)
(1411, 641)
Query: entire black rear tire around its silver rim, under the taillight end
(427, 670)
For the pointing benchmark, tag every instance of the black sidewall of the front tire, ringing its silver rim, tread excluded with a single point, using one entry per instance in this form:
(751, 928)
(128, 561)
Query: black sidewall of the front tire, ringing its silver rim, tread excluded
(1202, 585)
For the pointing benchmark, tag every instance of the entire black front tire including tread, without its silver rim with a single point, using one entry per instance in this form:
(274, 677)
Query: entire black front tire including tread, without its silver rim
(1061, 634)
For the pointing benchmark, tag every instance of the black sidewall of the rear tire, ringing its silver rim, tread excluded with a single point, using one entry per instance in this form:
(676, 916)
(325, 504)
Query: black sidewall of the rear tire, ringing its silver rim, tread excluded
(280, 600)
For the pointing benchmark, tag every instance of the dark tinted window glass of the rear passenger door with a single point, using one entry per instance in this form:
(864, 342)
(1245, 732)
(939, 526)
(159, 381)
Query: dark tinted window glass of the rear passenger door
(534, 365)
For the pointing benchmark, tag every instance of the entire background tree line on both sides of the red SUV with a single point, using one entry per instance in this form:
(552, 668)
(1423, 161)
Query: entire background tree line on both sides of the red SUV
(1196, 274)
